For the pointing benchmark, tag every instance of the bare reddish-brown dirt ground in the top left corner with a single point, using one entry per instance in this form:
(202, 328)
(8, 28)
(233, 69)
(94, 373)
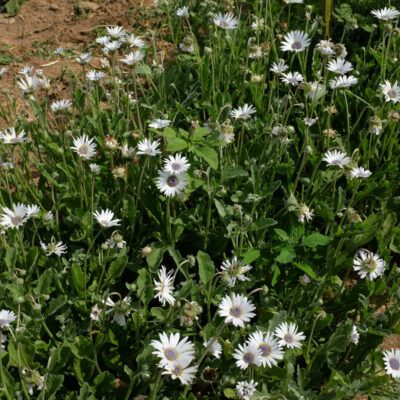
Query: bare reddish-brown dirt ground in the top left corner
(58, 23)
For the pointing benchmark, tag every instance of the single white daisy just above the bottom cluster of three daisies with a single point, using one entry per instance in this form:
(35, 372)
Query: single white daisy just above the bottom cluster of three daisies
(237, 309)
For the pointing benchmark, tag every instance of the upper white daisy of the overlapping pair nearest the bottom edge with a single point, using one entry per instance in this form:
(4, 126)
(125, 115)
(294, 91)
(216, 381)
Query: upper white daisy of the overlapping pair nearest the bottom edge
(172, 350)
